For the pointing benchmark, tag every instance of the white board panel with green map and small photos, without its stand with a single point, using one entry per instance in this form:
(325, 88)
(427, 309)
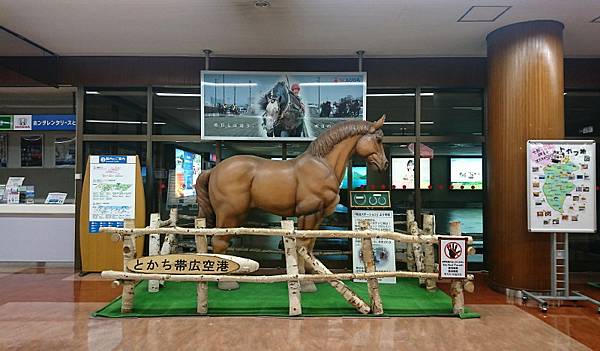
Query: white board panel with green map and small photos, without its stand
(561, 186)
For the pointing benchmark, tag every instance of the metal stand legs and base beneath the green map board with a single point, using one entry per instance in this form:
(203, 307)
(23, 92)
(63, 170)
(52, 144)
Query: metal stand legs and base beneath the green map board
(560, 291)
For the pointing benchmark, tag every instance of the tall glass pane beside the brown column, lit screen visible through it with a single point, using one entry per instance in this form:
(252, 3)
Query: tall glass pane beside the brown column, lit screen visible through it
(456, 194)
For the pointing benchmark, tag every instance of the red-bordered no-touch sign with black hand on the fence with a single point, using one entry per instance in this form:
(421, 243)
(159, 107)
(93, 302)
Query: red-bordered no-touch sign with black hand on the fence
(453, 257)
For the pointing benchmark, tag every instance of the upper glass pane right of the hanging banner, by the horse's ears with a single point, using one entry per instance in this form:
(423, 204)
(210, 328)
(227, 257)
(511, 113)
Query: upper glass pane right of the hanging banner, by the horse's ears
(399, 107)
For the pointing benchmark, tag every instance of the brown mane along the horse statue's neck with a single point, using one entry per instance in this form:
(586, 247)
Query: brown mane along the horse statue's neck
(340, 131)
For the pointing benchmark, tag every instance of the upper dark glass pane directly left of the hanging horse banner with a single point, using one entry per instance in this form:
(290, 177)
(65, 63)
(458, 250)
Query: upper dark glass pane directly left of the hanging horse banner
(176, 111)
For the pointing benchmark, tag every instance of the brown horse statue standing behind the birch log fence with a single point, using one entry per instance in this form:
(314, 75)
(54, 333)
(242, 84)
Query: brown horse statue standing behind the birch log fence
(306, 187)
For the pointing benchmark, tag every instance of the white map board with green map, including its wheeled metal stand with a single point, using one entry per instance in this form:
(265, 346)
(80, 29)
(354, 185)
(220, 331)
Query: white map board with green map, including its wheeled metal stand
(561, 199)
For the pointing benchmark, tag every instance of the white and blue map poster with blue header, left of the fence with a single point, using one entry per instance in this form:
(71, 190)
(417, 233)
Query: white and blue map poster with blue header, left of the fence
(112, 191)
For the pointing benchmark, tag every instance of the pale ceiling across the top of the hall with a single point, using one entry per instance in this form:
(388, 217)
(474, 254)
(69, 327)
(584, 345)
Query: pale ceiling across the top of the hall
(383, 28)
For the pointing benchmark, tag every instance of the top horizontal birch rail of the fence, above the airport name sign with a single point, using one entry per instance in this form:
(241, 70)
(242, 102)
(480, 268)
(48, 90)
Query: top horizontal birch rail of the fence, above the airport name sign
(119, 233)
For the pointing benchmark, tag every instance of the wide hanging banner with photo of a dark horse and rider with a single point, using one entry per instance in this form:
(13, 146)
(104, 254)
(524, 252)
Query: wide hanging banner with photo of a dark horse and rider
(278, 105)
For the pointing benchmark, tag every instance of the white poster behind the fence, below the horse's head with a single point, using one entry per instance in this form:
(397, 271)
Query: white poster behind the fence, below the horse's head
(384, 250)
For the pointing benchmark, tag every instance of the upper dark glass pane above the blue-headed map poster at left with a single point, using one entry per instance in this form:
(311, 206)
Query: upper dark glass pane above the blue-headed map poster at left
(115, 111)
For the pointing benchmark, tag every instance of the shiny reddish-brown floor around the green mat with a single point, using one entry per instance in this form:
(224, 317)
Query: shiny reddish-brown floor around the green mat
(49, 308)
